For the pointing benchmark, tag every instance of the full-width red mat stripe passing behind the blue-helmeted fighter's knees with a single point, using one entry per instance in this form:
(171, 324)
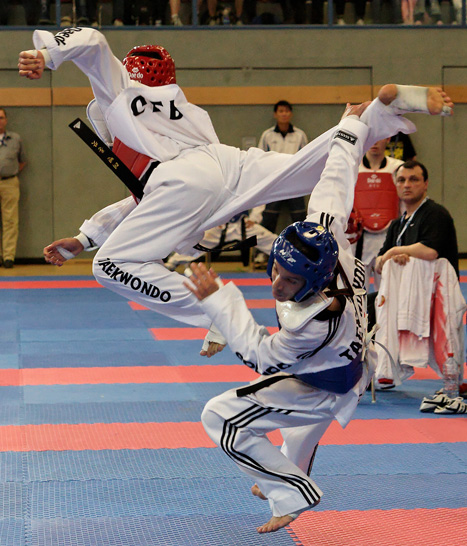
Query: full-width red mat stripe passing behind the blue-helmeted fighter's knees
(98, 436)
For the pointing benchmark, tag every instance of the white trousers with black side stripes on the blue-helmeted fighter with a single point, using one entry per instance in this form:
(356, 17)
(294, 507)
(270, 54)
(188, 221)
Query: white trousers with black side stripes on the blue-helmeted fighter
(239, 426)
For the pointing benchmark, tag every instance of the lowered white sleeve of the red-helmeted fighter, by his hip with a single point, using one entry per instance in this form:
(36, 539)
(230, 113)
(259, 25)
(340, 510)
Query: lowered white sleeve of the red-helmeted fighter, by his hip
(104, 222)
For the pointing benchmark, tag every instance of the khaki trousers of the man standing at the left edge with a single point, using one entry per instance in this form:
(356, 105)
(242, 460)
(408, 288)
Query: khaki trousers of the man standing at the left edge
(9, 199)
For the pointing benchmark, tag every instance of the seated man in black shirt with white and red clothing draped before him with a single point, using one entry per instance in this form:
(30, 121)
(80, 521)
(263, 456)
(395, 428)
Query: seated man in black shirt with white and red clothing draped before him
(419, 292)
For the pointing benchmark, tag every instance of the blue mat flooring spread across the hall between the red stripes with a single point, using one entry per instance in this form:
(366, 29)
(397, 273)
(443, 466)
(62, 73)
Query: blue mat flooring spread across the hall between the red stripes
(171, 497)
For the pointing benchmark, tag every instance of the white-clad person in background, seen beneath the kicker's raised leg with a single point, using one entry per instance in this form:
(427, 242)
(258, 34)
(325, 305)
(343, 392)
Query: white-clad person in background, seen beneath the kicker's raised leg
(239, 228)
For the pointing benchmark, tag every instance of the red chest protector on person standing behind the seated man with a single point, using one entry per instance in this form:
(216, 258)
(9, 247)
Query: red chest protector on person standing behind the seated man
(376, 199)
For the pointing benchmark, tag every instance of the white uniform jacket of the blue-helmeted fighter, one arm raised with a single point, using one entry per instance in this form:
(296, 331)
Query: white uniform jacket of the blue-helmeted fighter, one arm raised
(304, 344)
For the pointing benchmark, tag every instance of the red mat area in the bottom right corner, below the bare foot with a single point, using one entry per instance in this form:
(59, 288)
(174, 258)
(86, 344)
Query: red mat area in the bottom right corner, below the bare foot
(418, 527)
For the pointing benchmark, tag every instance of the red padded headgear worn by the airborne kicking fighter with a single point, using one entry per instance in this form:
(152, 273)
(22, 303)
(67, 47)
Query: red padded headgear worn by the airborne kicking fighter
(150, 65)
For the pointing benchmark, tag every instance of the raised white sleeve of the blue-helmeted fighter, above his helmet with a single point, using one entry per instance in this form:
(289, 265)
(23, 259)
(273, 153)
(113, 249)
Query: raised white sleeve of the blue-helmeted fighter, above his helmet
(334, 193)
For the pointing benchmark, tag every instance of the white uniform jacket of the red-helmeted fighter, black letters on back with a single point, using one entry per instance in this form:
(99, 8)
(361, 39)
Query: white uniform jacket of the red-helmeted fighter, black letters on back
(141, 117)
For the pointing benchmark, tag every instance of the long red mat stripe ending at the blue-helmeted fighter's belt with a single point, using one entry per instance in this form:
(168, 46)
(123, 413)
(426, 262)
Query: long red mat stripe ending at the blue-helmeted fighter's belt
(135, 374)
